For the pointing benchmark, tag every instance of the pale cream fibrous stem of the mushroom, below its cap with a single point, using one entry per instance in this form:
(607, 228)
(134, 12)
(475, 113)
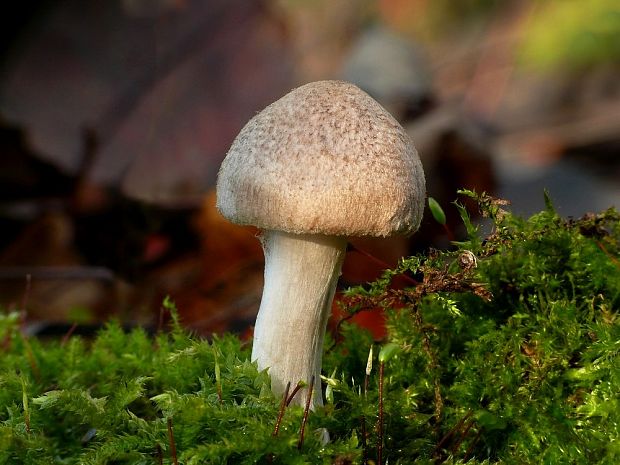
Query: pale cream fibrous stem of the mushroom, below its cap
(301, 272)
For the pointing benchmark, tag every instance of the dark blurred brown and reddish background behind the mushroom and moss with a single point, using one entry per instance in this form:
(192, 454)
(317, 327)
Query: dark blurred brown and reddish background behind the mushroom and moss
(115, 116)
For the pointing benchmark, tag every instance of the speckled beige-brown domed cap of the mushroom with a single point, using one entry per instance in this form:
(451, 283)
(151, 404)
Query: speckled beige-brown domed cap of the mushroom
(324, 159)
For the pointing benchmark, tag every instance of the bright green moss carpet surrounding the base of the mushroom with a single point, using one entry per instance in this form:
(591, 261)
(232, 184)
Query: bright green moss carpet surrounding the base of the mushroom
(507, 350)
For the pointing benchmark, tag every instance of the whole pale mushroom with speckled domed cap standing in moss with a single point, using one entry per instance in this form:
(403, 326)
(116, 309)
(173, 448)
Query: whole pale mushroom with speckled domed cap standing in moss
(323, 163)
